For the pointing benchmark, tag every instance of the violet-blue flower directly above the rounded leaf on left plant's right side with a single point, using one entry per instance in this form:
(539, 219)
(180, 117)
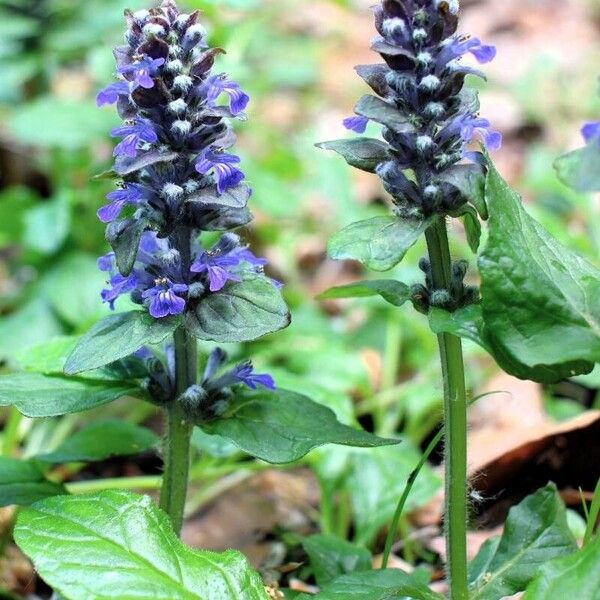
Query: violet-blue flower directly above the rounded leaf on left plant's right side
(219, 261)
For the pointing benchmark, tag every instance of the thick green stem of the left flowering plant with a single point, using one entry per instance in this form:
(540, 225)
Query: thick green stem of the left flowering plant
(178, 433)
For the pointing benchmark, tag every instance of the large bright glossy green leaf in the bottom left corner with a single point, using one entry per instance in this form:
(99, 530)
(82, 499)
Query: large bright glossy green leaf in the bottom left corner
(119, 545)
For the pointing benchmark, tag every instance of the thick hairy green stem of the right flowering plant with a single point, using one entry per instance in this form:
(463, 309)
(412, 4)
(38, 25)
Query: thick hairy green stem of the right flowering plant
(455, 422)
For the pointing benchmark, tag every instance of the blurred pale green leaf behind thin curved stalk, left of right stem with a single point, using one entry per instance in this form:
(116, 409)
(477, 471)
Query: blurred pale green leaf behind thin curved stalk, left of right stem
(377, 479)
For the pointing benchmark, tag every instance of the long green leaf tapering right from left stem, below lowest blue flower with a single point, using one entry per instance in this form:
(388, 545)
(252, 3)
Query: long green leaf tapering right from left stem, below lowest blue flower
(280, 426)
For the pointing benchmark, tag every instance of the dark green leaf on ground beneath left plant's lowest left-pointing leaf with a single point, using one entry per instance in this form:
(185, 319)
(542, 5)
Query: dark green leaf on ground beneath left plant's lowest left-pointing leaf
(101, 440)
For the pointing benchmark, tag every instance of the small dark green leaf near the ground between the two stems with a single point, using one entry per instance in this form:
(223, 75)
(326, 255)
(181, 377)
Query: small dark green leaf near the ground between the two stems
(331, 556)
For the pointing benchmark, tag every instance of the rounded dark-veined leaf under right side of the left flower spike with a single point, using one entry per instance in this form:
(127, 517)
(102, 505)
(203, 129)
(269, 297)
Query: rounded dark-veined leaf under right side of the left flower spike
(240, 312)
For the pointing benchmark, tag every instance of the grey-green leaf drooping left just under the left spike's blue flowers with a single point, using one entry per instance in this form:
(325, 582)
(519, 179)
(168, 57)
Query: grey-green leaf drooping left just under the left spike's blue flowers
(118, 336)
